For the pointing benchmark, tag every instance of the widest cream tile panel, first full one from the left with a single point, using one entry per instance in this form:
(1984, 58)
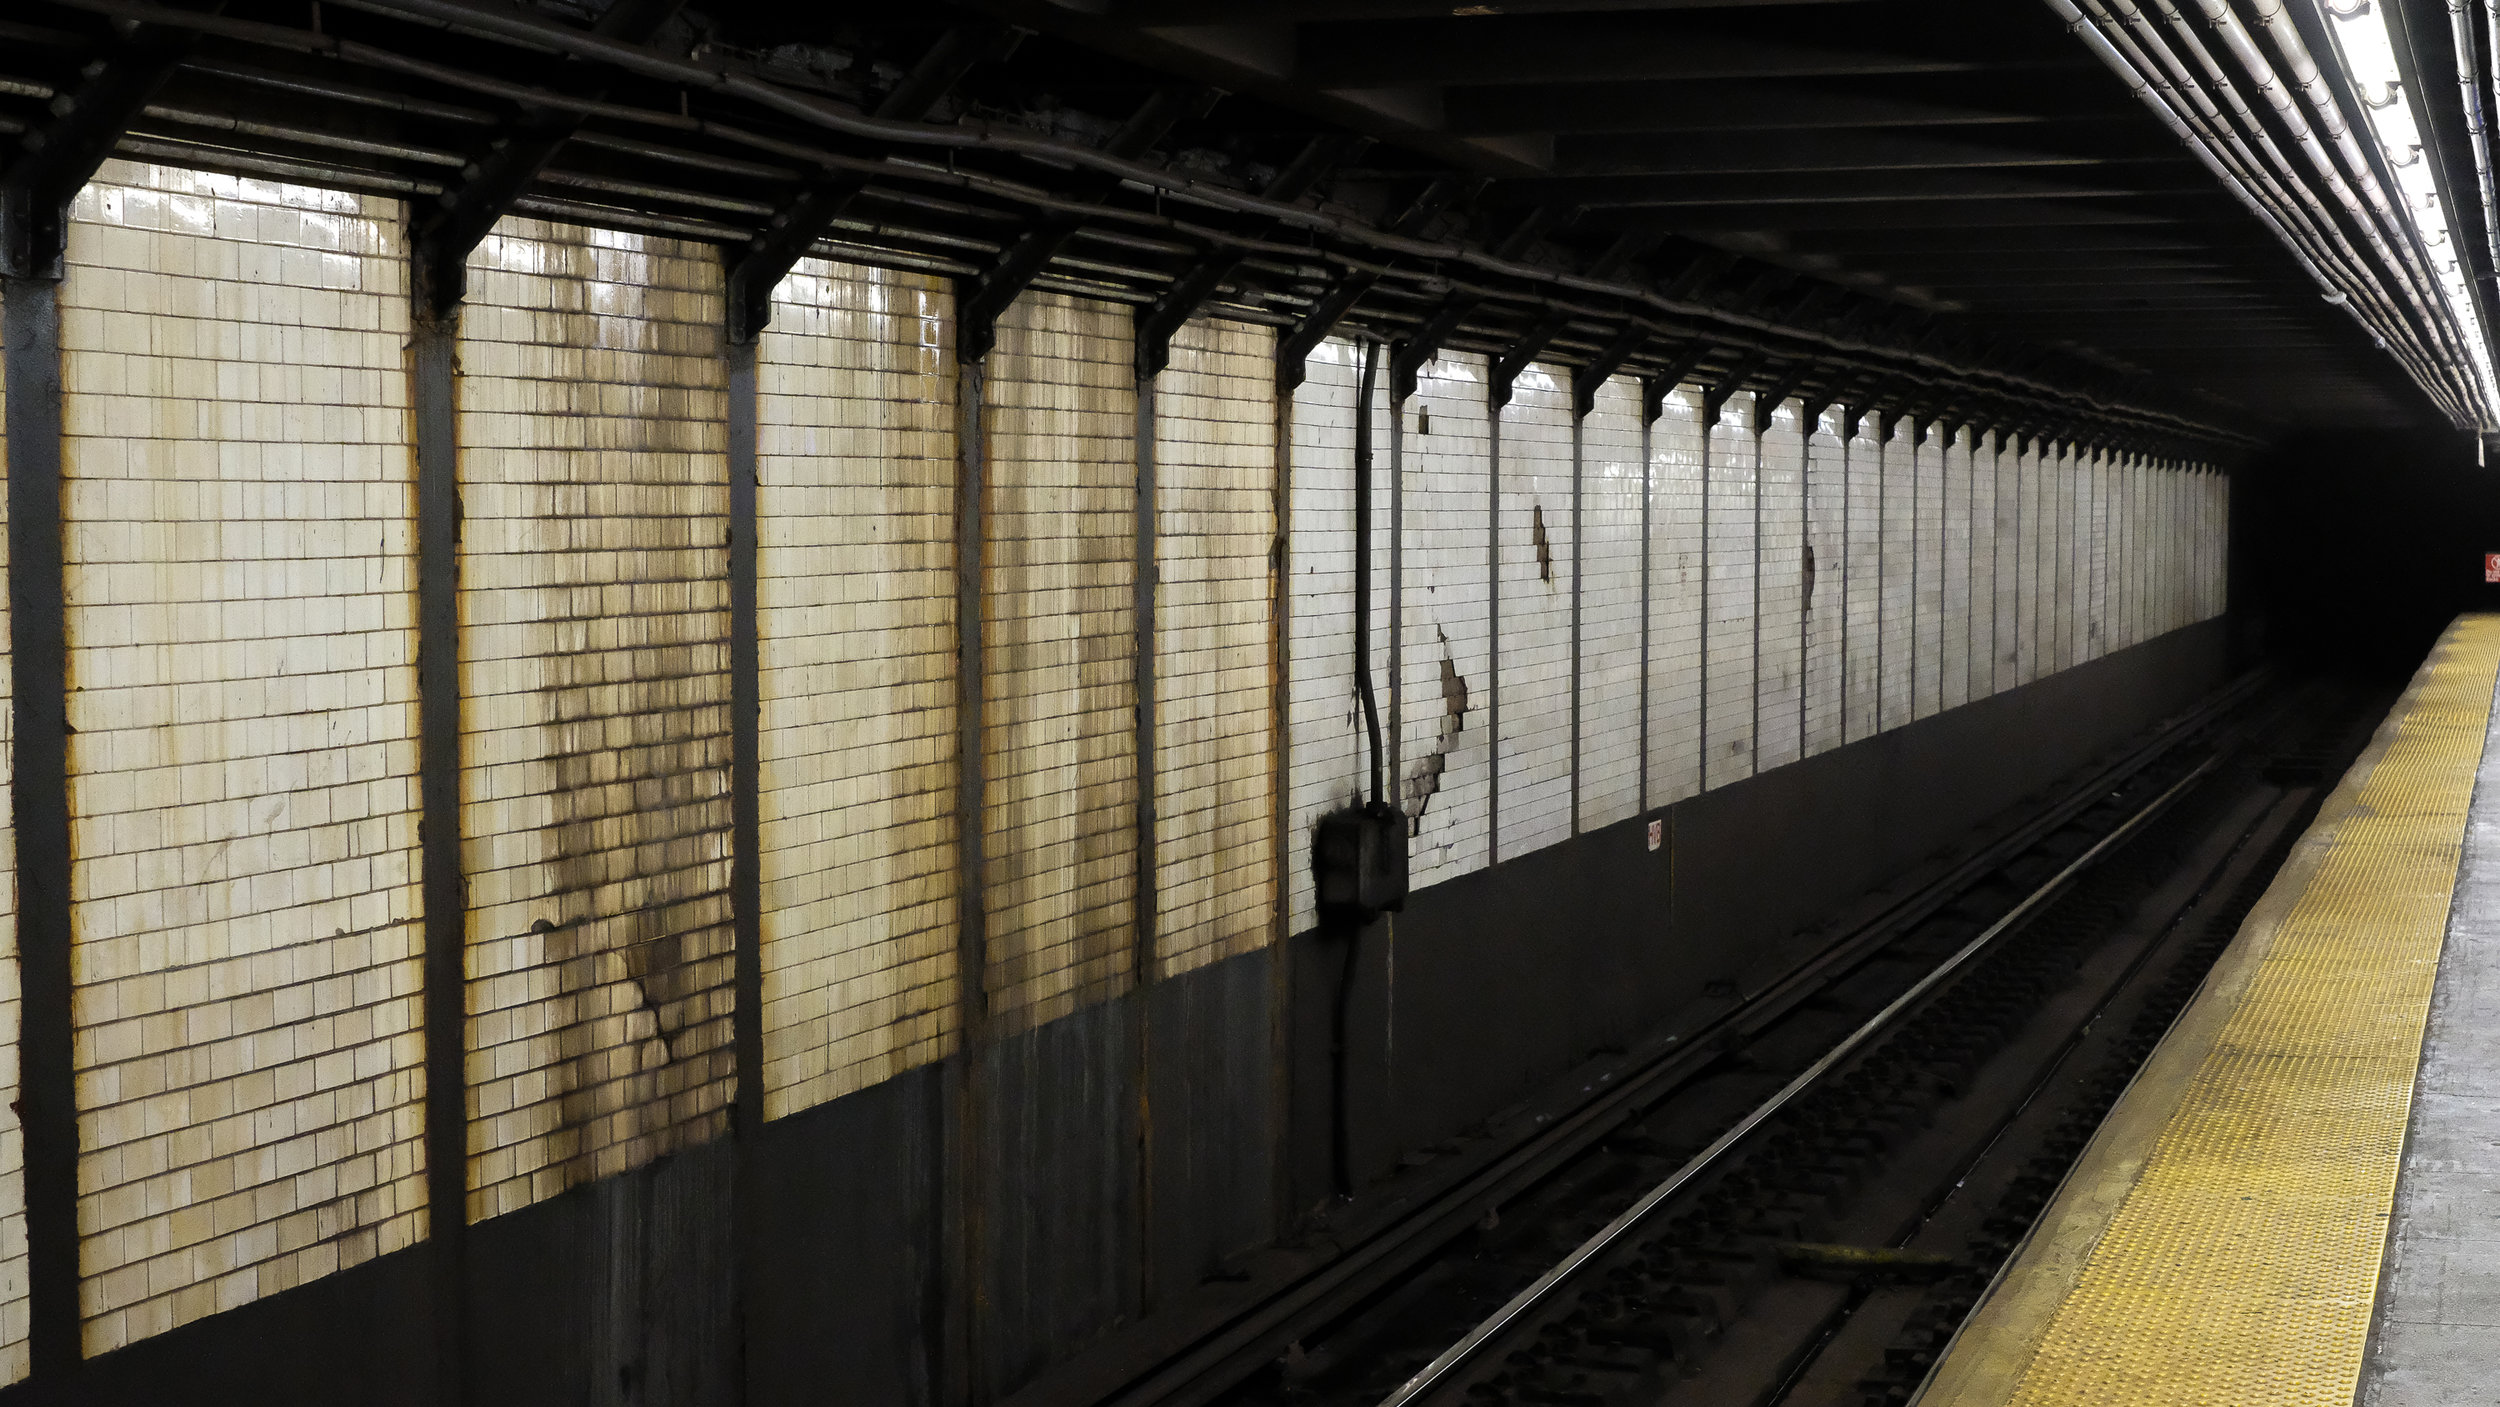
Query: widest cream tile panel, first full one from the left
(246, 931)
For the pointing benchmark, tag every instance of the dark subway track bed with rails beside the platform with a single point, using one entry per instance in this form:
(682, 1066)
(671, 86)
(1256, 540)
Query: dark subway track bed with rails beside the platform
(1824, 1251)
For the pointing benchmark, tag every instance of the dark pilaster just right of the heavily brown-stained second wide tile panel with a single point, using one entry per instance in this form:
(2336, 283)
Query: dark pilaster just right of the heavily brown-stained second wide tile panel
(746, 826)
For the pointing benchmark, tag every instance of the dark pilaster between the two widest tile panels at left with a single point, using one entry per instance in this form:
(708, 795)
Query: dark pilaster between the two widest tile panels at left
(436, 429)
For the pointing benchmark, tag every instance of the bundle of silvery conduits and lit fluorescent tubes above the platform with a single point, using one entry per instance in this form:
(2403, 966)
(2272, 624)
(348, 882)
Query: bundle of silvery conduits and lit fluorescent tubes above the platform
(2391, 261)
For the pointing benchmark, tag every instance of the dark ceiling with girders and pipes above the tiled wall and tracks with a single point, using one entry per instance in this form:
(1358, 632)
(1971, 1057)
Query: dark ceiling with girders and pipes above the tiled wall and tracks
(1944, 201)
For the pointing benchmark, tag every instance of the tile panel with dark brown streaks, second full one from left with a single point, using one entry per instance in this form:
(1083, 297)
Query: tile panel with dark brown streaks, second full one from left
(596, 726)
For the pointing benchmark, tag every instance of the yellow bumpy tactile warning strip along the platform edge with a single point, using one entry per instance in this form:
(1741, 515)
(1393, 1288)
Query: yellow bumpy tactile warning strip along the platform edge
(2236, 1263)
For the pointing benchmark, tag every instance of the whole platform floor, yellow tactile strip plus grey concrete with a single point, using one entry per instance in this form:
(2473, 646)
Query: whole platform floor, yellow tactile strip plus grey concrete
(2226, 1233)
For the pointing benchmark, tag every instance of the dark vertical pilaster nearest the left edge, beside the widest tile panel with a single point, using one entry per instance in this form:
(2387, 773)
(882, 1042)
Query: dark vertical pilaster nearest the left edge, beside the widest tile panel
(49, 1121)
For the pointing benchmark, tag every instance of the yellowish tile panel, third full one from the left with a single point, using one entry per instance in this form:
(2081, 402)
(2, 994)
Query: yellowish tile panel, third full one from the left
(856, 619)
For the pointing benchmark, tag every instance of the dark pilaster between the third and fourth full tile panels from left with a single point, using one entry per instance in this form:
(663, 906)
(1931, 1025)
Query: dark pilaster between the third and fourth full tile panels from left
(971, 923)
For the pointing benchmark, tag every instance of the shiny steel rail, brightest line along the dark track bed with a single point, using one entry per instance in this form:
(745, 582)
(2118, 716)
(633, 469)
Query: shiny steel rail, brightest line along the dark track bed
(1526, 1301)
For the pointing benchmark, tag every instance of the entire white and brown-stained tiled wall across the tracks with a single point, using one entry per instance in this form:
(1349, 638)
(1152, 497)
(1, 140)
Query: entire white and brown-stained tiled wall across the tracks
(239, 494)
